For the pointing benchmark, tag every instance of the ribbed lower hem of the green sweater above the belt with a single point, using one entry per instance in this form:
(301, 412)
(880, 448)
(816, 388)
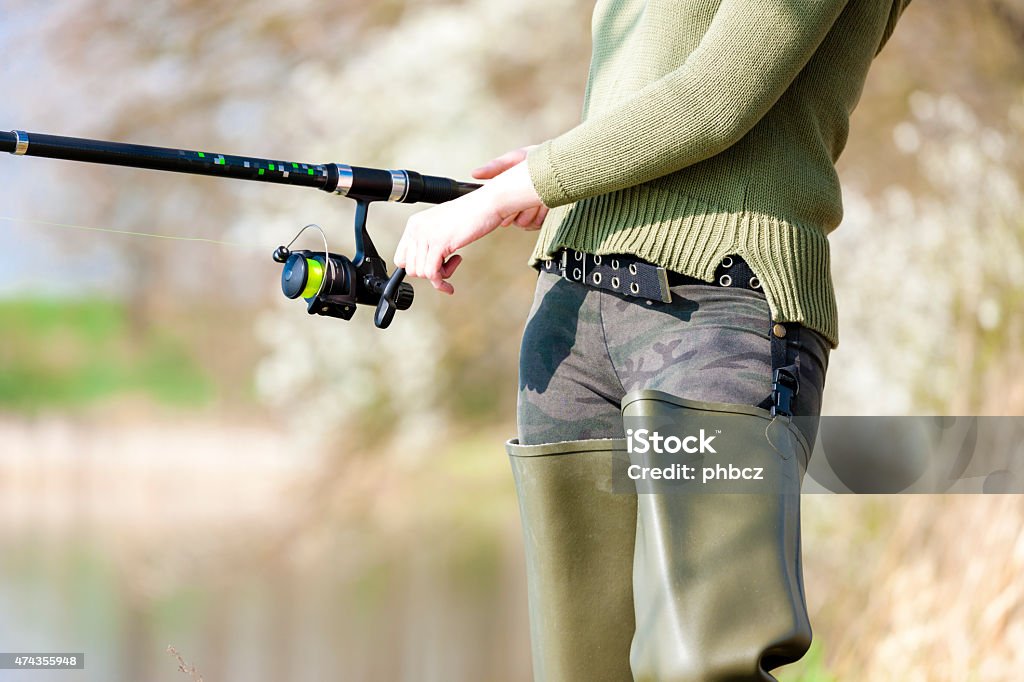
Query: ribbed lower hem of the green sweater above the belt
(692, 237)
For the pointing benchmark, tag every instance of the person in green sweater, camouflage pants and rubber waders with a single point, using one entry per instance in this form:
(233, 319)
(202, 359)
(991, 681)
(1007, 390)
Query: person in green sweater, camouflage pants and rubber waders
(686, 252)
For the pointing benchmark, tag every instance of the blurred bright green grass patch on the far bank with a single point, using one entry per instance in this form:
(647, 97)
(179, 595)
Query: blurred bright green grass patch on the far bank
(67, 354)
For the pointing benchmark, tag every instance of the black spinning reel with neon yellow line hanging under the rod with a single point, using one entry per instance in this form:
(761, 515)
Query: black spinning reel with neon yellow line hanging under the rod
(332, 285)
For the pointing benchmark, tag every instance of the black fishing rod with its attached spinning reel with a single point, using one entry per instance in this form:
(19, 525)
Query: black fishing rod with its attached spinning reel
(331, 284)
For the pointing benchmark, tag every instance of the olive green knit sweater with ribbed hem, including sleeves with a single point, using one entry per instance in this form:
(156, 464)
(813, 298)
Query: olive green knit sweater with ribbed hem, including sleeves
(712, 127)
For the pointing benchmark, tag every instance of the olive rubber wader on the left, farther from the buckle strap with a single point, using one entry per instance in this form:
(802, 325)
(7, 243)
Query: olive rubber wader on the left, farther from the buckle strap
(579, 544)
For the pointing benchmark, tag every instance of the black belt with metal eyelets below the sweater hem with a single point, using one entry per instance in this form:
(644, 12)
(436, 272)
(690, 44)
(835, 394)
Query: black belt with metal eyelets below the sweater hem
(634, 277)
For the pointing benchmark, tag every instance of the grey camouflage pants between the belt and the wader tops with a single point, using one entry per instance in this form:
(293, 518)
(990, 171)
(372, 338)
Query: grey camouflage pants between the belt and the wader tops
(584, 350)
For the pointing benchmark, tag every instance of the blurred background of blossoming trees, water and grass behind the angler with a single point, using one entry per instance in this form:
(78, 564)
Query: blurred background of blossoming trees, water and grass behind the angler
(188, 459)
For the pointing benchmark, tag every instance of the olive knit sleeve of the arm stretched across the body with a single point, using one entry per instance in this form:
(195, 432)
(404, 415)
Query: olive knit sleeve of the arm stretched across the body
(748, 59)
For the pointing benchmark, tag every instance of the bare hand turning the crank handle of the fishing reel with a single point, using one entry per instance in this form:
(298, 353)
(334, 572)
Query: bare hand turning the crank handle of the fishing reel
(432, 238)
